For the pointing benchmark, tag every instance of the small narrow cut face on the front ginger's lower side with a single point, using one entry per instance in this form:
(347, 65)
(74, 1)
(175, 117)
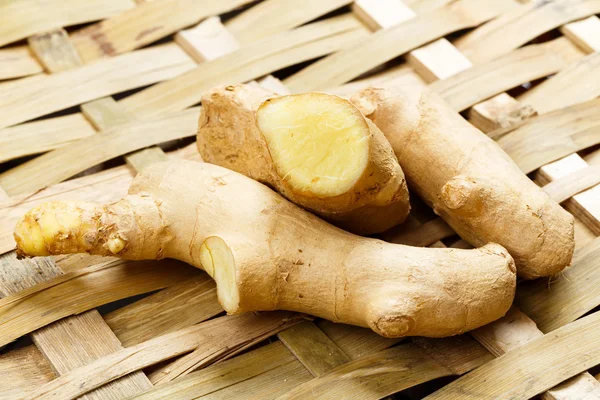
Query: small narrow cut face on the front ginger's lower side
(218, 262)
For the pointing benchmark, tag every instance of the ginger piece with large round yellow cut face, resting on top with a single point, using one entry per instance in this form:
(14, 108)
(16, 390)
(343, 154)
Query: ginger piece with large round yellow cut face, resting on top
(315, 149)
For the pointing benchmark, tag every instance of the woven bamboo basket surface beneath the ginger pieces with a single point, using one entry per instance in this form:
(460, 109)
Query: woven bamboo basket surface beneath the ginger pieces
(93, 91)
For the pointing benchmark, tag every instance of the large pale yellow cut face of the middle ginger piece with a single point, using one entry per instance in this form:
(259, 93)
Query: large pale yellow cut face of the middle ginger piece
(319, 142)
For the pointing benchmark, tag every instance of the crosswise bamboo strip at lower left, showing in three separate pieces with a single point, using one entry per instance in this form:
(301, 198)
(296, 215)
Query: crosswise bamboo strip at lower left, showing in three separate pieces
(73, 341)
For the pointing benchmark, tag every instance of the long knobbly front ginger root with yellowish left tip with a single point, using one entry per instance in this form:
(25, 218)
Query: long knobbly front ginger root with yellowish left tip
(266, 253)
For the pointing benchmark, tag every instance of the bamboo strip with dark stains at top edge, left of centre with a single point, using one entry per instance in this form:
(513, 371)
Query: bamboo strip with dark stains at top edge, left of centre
(145, 24)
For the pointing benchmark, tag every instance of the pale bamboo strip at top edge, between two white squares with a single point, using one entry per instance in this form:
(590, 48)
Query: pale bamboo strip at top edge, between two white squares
(266, 18)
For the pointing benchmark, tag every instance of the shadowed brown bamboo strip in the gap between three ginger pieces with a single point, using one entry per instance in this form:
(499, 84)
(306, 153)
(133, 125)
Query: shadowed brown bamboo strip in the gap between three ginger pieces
(422, 235)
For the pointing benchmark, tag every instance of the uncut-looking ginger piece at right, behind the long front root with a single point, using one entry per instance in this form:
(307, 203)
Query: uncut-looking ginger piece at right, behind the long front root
(469, 180)
